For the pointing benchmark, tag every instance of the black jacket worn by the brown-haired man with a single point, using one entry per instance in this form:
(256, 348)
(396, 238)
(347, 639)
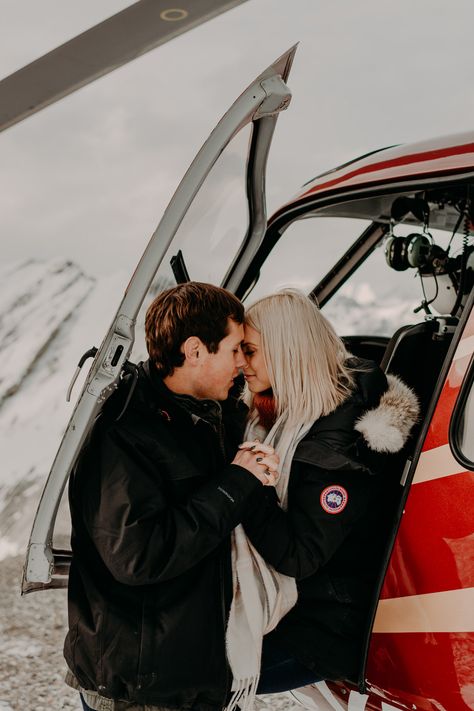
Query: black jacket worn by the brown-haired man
(153, 501)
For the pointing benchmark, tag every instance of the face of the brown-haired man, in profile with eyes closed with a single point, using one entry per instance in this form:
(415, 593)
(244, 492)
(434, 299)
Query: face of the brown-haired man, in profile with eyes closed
(216, 372)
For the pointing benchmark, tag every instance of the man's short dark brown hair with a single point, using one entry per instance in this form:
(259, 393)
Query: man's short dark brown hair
(191, 309)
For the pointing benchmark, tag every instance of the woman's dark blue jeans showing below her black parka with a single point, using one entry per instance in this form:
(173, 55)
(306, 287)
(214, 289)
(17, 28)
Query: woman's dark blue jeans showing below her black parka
(280, 671)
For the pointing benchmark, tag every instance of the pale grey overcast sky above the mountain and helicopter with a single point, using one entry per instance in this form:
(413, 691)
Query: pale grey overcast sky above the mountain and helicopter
(89, 177)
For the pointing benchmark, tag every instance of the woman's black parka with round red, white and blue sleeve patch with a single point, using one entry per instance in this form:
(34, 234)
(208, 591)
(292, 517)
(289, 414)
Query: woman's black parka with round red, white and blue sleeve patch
(334, 553)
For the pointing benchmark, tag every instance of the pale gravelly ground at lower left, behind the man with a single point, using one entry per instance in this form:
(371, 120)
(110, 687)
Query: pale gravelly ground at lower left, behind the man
(32, 630)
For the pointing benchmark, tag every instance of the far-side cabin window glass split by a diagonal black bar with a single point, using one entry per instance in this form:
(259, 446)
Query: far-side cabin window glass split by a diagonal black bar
(374, 301)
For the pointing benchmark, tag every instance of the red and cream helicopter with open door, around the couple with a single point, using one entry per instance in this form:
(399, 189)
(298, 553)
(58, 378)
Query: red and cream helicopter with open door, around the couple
(408, 210)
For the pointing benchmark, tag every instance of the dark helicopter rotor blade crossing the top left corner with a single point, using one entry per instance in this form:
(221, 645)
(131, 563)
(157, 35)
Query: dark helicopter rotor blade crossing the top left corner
(101, 49)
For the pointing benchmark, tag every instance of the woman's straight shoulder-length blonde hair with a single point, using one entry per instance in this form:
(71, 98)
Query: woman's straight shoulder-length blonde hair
(305, 359)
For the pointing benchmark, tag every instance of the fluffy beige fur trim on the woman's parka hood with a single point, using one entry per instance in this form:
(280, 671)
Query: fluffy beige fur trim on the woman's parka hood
(386, 427)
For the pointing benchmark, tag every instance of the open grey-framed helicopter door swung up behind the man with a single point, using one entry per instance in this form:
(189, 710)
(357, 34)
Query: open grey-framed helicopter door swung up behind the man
(258, 107)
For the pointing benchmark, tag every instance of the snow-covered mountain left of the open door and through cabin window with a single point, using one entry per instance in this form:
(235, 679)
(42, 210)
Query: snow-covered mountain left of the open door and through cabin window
(50, 314)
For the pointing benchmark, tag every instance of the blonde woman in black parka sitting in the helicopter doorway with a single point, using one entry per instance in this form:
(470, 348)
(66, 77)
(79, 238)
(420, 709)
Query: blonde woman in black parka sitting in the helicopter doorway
(335, 422)
